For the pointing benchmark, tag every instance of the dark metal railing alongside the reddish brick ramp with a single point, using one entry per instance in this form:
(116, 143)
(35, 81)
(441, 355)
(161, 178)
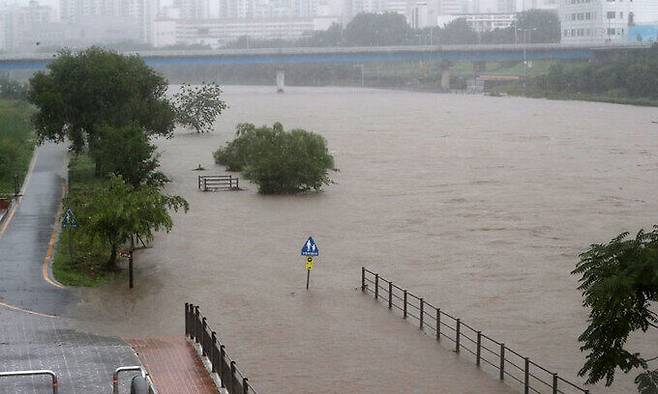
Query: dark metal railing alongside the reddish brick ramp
(230, 376)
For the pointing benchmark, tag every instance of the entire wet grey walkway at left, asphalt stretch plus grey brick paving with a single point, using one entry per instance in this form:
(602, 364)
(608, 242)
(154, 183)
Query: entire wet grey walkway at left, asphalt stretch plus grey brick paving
(31, 334)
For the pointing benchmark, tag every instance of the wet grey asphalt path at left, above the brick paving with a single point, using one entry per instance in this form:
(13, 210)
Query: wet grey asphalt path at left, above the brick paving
(24, 245)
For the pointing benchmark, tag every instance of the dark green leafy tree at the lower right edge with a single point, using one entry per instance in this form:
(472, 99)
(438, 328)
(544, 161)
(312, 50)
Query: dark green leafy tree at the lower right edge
(618, 280)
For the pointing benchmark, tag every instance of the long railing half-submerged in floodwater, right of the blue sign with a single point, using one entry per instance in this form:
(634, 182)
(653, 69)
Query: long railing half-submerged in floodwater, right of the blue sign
(485, 350)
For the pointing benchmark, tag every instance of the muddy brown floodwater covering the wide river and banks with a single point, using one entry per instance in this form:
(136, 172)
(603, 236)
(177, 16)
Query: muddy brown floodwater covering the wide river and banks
(479, 204)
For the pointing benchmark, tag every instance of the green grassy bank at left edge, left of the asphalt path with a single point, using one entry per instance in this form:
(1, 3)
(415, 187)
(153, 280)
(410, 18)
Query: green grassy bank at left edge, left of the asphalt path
(16, 143)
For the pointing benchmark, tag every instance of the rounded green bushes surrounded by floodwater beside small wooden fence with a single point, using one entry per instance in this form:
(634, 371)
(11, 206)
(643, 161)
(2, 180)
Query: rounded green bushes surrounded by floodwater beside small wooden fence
(278, 161)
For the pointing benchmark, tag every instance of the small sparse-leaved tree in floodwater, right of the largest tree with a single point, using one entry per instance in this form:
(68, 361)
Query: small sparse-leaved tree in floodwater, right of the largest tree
(199, 106)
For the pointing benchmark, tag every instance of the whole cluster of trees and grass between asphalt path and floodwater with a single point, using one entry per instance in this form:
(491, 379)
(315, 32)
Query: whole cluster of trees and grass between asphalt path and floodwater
(110, 107)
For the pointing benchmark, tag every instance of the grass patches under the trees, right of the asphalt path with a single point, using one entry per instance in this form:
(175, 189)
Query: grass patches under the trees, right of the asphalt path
(83, 267)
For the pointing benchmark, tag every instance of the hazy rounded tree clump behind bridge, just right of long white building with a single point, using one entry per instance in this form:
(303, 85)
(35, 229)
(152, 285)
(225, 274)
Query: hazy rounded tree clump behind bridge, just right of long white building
(388, 28)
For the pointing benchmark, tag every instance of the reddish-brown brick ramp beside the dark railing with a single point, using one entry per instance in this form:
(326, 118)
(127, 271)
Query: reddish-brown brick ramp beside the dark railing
(174, 365)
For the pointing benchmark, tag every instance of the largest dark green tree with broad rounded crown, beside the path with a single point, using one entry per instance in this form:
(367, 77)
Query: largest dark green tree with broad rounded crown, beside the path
(81, 92)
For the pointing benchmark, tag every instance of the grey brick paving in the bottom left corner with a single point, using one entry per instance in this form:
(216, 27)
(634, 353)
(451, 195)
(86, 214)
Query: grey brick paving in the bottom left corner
(83, 362)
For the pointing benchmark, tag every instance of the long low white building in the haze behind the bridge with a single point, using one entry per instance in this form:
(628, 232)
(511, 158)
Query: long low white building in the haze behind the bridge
(218, 32)
